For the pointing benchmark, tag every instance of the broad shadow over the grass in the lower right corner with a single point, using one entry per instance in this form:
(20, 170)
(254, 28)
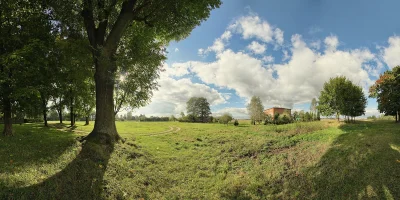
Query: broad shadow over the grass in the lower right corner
(363, 163)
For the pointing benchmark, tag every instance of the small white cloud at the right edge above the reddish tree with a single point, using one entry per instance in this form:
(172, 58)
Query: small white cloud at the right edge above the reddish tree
(391, 54)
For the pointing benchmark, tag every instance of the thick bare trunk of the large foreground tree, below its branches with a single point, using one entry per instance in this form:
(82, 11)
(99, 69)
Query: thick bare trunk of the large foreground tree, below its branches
(104, 131)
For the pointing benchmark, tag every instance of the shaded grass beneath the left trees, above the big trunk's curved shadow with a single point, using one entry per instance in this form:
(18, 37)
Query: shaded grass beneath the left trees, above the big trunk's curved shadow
(33, 144)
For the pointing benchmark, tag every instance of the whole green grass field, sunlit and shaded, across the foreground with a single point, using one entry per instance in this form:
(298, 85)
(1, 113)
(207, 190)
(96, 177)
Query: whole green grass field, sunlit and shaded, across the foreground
(171, 160)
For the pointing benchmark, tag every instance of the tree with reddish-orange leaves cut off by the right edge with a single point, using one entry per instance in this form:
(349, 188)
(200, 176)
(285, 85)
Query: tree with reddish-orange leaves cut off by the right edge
(387, 92)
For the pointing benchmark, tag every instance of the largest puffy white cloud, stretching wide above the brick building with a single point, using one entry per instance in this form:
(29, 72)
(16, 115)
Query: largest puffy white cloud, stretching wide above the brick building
(297, 81)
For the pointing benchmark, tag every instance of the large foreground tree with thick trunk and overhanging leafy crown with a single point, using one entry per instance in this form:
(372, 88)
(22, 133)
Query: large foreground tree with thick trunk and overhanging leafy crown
(142, 26)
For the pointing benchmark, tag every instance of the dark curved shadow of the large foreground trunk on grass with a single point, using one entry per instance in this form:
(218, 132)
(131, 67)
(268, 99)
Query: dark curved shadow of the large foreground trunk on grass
(80, 179)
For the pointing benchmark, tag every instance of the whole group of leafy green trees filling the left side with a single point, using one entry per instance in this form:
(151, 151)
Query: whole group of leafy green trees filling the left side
(79, 54)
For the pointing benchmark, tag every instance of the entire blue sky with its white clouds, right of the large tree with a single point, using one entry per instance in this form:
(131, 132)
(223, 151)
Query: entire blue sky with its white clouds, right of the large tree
(282, 51)
